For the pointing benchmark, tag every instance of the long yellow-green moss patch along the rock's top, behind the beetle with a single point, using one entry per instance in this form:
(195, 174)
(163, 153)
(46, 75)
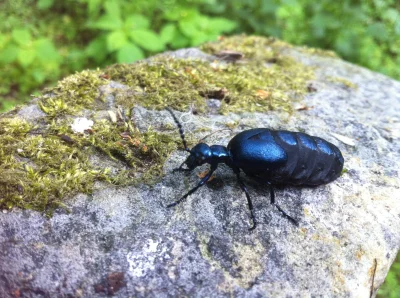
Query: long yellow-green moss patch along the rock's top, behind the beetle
(264, 80)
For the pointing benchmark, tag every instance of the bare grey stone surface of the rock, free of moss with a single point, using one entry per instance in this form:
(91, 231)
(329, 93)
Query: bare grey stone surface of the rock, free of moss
(124, 242)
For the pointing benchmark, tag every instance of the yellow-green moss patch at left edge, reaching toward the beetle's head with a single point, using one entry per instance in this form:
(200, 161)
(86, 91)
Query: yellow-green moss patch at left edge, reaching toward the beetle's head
(37, 170)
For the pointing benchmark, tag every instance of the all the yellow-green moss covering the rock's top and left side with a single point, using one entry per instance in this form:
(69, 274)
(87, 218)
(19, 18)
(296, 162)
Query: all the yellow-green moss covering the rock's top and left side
(41, 165)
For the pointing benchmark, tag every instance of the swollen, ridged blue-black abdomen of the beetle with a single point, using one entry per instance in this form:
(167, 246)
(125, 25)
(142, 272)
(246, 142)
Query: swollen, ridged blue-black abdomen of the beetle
(306, 160)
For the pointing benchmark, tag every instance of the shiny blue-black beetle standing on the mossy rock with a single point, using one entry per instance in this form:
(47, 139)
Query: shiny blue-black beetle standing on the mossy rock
(271, 157)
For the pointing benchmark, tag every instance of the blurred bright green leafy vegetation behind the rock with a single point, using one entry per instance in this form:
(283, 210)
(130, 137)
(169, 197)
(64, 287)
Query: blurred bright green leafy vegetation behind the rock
(43, 40)
